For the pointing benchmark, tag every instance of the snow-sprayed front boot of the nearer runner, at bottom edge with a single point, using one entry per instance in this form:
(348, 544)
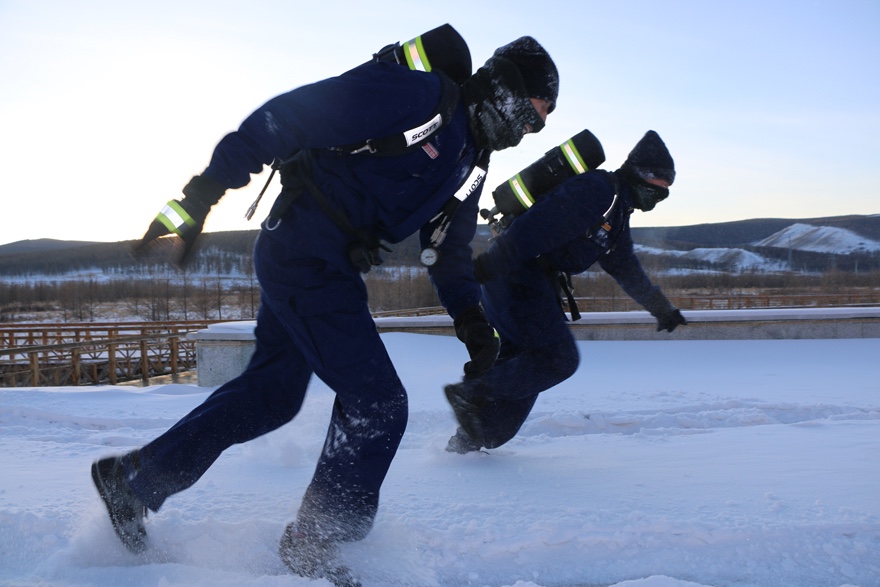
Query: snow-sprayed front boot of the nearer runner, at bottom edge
(313, 558)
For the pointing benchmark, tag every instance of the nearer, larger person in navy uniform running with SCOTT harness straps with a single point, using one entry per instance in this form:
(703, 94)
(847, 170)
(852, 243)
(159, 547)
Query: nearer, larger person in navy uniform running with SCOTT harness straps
(344, 191)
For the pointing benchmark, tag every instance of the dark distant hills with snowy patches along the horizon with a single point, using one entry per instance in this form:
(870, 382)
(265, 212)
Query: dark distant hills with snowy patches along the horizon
(768, 243)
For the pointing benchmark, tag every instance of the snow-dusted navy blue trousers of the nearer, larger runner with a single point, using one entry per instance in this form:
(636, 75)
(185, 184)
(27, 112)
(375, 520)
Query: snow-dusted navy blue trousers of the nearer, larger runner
(313, 318)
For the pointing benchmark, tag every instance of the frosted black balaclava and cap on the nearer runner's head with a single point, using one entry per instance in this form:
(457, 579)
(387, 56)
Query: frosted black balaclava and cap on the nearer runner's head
(497, 95)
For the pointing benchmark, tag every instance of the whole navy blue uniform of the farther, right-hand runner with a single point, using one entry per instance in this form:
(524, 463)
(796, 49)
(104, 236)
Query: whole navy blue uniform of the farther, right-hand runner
(562, 232)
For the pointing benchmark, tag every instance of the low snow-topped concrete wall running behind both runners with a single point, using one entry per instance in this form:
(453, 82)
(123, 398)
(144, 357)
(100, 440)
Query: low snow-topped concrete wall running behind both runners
(223, 350)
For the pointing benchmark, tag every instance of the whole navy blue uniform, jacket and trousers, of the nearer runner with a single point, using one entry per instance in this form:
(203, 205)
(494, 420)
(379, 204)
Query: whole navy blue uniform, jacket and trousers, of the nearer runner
(314, 317)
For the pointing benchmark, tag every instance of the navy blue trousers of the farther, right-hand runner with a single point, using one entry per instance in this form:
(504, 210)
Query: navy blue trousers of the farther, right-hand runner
(537, 349)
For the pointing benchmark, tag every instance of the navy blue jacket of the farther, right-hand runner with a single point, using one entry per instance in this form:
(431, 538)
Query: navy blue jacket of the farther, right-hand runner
(564, 229)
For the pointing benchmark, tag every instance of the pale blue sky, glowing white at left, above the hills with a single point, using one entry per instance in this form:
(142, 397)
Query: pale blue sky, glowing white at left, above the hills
(107, 108)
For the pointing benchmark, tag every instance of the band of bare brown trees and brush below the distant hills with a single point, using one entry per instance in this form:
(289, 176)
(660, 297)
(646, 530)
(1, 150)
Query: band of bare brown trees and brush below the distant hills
(184, 297)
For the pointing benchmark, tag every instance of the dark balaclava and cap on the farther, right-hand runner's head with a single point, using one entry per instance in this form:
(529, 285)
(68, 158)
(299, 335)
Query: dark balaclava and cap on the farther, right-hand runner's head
(649, 159)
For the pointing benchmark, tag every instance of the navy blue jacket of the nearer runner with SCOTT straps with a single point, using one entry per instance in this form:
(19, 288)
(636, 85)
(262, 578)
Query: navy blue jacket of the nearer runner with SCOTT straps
(392, 197)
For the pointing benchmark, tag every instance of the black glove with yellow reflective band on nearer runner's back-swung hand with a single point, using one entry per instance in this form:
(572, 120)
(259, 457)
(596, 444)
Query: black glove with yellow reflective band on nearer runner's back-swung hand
(184, 217)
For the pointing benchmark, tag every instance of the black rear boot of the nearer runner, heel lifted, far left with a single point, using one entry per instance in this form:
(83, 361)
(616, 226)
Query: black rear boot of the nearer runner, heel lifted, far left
(126, 510)
